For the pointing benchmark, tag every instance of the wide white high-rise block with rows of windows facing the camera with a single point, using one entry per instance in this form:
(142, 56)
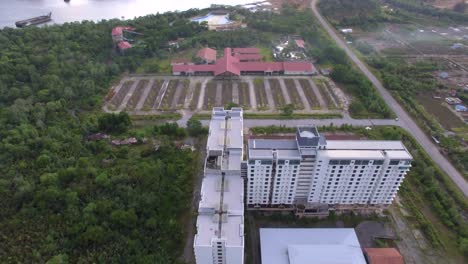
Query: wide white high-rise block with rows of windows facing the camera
(312, 170)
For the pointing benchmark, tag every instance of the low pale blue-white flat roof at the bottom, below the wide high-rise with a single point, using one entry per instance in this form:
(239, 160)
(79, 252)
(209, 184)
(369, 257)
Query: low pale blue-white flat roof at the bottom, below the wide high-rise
(301, 245)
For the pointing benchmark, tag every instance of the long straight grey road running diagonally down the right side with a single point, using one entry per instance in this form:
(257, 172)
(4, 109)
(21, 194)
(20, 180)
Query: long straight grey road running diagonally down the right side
(405, 120)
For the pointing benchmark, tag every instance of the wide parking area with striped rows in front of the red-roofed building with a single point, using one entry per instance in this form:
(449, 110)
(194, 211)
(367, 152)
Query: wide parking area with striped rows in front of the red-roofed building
(139, 94)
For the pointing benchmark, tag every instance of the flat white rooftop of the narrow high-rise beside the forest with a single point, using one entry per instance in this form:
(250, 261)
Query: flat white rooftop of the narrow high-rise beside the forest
(221, 207)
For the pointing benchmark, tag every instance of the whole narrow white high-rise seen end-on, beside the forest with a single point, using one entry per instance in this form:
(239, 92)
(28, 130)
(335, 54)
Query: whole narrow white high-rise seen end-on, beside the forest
(220, 222)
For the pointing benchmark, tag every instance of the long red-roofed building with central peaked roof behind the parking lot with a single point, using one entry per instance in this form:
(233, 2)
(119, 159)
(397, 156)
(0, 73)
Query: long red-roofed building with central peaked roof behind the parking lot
(229, 66)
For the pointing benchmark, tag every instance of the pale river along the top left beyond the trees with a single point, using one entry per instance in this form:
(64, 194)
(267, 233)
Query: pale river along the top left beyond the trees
(78, 10)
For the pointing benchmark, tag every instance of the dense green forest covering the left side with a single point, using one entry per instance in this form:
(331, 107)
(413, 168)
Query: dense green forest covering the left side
(69, 199)
